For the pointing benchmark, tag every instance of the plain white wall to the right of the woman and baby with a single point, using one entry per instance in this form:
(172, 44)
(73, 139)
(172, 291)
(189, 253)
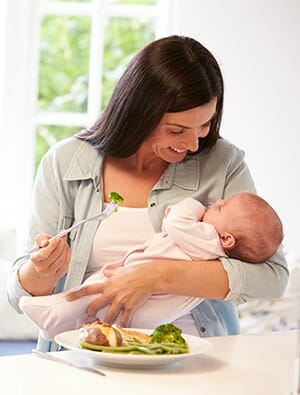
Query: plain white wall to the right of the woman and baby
(257, 44)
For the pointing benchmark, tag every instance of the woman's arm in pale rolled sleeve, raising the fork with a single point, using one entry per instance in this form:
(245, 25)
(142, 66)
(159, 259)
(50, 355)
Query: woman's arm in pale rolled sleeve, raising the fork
(38, 274)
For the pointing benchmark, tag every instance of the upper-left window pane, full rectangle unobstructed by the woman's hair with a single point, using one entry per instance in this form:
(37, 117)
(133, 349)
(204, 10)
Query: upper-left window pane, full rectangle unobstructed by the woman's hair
(64, 57)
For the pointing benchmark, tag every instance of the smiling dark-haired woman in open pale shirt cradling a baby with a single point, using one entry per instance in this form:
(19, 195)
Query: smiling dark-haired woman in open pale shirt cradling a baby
(156, 143)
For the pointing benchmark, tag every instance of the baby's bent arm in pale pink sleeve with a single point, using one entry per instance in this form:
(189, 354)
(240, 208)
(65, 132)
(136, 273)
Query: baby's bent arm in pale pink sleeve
(197, 239)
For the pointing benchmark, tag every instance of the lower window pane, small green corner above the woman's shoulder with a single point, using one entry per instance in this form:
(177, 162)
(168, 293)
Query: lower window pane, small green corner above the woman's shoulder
(46, 136)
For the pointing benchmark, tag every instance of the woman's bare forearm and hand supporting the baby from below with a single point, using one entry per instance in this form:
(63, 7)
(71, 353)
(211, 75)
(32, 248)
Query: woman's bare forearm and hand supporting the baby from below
(128, 287)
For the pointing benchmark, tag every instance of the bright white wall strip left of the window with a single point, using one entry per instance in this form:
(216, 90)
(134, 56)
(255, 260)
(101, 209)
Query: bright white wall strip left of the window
(18, 52)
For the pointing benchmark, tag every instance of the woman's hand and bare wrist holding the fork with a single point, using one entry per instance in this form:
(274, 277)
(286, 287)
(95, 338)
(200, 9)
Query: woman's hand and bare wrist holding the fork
(46, 266)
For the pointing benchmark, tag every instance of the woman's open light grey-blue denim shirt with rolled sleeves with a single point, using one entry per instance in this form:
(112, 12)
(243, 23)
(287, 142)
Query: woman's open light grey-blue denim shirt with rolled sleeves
(68, 188)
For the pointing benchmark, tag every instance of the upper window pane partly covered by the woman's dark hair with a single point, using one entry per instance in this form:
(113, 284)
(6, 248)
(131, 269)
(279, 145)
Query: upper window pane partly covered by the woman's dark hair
(123, 38)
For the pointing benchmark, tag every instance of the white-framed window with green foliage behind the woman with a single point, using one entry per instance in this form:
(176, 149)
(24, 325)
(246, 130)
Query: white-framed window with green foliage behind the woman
(84, 47)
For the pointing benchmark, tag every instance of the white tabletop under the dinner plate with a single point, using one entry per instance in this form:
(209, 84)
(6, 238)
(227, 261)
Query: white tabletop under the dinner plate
(246, 364)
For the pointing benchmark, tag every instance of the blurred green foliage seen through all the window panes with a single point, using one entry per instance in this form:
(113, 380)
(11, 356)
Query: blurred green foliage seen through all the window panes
(64, 65)
